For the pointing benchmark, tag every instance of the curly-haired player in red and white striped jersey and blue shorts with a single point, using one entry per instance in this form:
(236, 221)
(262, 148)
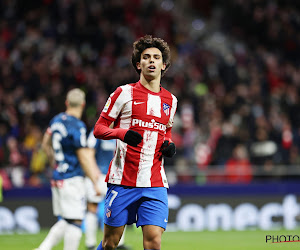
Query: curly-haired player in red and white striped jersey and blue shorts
(143, 114)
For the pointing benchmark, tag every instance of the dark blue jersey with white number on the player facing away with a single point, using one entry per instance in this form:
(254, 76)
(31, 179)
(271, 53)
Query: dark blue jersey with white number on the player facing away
(68, 135)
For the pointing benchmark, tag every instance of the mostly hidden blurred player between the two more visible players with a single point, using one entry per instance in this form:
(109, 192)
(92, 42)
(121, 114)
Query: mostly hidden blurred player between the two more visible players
(103, 151)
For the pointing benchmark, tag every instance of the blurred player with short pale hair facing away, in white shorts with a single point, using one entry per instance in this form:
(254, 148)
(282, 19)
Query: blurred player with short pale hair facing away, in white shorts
(66, 146)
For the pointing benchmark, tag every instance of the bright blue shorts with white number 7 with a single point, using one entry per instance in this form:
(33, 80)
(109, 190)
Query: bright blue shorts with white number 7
(143, 206)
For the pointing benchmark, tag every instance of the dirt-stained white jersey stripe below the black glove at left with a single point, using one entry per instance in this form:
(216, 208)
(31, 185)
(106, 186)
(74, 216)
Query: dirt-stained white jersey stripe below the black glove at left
(117, 166)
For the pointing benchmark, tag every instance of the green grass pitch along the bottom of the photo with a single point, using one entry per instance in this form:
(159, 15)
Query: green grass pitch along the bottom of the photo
(231, 240)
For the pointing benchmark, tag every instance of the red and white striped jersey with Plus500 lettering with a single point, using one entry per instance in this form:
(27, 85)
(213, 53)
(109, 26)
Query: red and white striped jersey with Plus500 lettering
(134, 107)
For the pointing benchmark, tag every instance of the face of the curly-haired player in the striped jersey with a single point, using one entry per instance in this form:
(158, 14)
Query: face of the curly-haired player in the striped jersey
(151, 63)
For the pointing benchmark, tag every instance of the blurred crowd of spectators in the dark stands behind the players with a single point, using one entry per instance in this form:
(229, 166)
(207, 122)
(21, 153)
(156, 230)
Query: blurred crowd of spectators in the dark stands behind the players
(235, 71)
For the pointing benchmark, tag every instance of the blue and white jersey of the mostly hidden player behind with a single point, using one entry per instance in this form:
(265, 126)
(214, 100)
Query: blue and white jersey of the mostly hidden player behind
(104, 151)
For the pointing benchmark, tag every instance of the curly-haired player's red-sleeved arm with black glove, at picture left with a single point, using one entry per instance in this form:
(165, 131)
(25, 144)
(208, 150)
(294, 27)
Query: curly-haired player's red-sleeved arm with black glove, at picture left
(103, 131)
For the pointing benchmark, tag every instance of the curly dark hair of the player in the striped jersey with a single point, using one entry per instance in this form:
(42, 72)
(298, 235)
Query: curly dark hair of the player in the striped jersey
(146, 42)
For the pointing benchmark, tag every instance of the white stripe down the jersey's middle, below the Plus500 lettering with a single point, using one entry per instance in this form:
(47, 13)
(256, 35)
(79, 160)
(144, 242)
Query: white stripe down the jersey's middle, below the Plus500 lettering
(146, 160)
